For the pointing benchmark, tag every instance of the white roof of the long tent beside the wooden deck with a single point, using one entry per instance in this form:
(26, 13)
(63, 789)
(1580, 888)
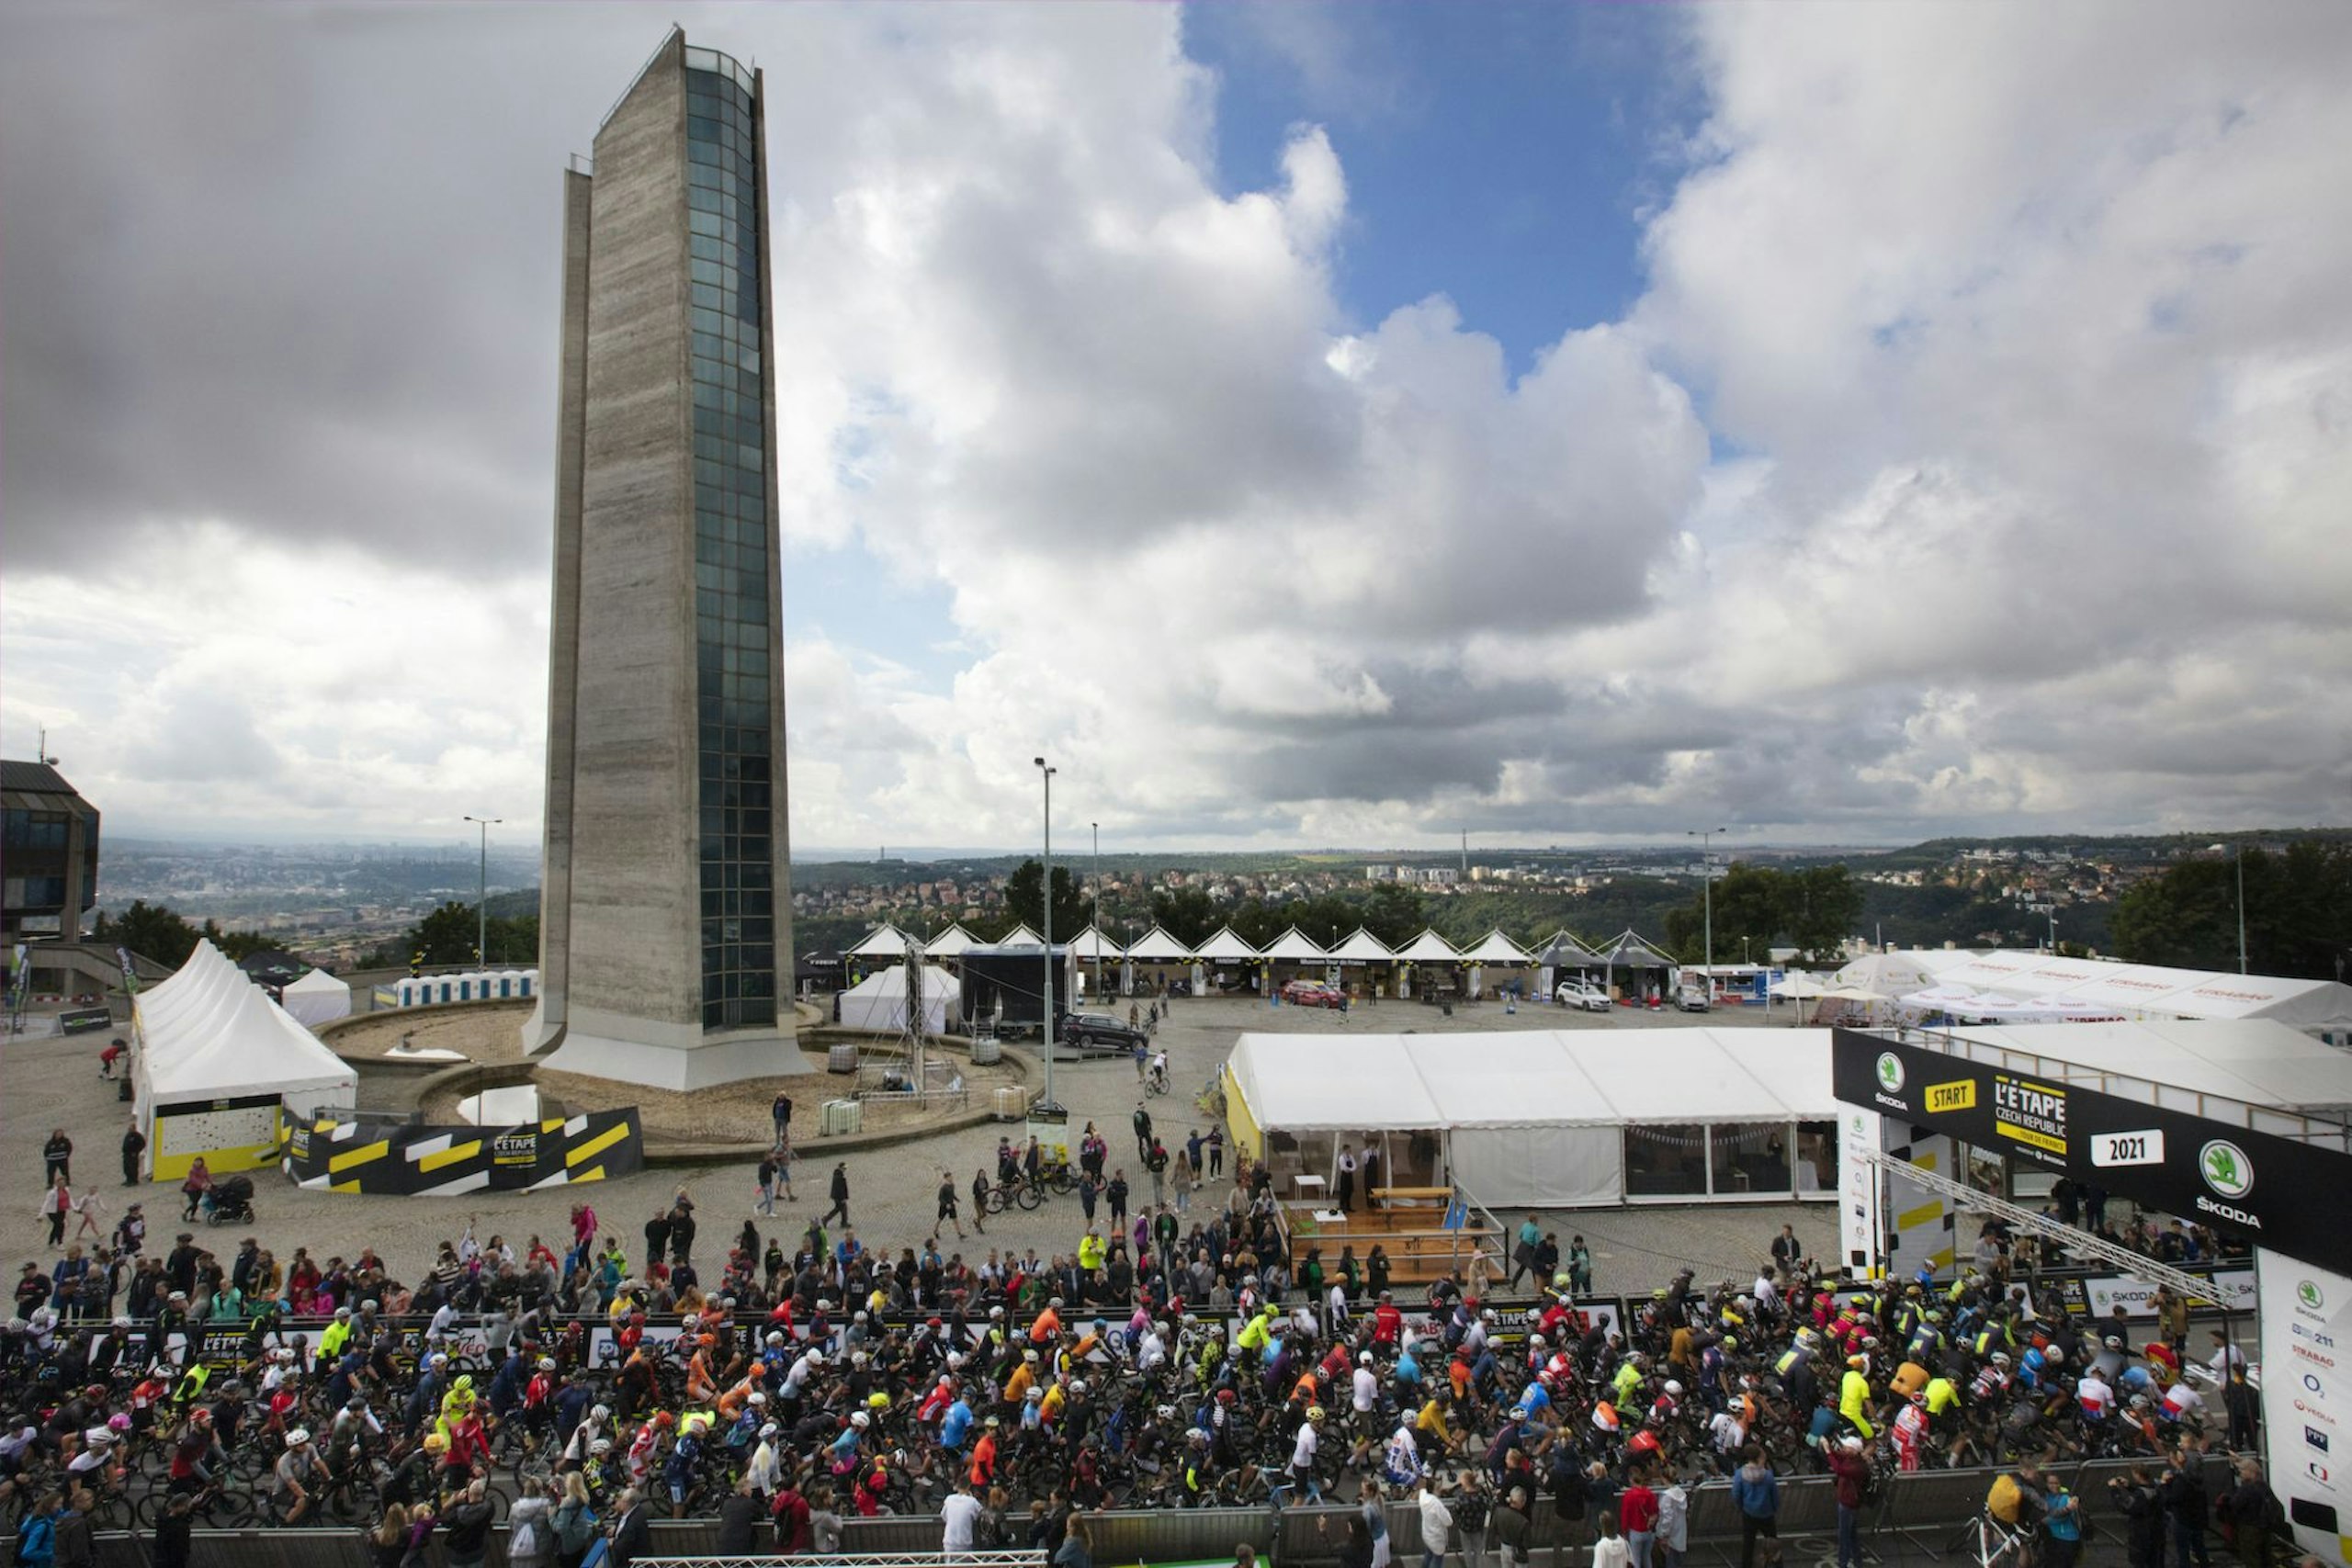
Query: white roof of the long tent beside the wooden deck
(1532, 1078)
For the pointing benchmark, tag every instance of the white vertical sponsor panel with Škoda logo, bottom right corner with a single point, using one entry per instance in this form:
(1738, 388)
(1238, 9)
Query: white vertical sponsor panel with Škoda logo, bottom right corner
(2308, 1400)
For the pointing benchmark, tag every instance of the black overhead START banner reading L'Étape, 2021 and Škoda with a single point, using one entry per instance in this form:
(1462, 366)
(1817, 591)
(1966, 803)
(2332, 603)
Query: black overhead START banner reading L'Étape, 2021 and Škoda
(2254, 1188)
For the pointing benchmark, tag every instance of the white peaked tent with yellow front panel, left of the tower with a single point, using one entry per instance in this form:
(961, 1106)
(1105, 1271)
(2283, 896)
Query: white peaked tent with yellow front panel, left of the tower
(215, 1064)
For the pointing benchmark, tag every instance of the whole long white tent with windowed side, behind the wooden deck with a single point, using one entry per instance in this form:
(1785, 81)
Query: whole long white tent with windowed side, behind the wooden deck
(1556, 1118)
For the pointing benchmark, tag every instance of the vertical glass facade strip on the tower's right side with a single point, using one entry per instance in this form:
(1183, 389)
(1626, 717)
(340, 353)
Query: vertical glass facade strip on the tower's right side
(730, 549)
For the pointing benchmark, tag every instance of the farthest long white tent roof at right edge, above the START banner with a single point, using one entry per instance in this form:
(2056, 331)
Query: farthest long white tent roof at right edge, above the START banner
(2007, 986)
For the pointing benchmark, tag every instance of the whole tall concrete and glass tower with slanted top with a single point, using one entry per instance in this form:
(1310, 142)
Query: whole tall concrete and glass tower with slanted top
(667, 916)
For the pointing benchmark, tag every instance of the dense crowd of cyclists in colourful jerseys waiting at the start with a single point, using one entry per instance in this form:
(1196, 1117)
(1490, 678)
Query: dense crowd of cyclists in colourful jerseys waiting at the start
(1177, 1367)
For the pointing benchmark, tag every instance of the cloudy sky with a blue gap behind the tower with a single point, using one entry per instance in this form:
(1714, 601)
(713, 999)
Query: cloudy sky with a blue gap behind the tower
(1304, 424)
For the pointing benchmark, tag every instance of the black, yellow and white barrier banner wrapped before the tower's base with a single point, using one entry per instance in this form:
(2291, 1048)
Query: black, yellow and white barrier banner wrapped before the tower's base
(450, 1160)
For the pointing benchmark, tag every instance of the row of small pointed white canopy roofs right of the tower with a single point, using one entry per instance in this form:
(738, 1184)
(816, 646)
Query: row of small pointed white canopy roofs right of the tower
(1295, 946)
